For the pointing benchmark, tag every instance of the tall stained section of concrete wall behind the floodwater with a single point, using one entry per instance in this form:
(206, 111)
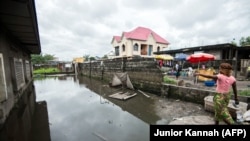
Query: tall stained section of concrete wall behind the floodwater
(143, 72)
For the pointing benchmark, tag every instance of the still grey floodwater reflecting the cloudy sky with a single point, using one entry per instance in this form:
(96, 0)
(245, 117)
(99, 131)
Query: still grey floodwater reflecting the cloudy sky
(79, 109)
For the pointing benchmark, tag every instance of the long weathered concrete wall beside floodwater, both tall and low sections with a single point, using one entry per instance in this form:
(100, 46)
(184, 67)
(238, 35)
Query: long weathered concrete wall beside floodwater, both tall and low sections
(147, 76)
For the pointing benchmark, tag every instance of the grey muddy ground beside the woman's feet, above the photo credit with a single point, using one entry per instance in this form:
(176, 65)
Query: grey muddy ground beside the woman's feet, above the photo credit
(181, 112)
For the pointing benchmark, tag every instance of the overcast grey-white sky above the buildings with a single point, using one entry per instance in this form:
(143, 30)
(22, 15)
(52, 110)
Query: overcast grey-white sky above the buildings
(74, 28)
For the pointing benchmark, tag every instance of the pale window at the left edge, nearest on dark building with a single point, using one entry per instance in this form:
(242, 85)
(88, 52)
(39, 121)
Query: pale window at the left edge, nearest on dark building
(3, 88)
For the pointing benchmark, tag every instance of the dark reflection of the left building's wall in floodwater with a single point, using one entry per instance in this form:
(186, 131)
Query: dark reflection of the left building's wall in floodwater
(19, 122)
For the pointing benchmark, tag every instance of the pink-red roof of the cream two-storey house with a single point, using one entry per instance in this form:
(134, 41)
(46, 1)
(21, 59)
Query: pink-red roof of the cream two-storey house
(141, 33)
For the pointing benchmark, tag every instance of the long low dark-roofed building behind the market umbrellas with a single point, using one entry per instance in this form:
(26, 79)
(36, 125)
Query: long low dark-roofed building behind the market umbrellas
(226, 51)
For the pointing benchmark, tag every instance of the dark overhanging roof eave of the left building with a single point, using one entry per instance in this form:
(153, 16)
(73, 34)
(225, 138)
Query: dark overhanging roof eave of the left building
(19, 20)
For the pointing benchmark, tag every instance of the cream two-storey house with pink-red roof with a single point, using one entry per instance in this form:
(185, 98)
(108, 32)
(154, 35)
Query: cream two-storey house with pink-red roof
(139, 42)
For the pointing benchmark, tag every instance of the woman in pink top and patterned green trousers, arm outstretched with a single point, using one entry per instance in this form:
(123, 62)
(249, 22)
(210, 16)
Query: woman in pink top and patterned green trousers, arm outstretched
(224, 81)
